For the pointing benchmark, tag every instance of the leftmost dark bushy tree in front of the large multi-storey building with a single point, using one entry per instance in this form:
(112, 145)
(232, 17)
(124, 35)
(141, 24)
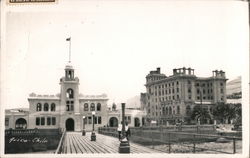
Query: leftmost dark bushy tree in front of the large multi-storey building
(200, 113)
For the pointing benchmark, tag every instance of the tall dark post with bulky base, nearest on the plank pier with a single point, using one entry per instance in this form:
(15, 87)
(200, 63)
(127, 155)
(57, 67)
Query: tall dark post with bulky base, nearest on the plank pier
(124, 145)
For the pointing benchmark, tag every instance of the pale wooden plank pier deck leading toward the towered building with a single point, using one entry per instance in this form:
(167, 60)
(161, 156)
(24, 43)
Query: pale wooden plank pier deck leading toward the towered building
(75, 143)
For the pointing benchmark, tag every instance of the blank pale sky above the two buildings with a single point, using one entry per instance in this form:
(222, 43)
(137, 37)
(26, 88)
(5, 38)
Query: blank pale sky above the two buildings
(114, 44)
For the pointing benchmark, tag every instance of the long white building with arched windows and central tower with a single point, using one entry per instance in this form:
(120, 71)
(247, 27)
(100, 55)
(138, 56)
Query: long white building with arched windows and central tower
(69, 110)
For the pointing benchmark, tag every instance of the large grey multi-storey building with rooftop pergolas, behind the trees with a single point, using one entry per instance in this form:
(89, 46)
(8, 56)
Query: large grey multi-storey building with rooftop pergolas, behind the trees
(170, 99)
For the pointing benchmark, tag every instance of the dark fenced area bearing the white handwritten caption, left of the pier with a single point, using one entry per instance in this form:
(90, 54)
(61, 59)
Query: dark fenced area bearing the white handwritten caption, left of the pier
(27, 140)
